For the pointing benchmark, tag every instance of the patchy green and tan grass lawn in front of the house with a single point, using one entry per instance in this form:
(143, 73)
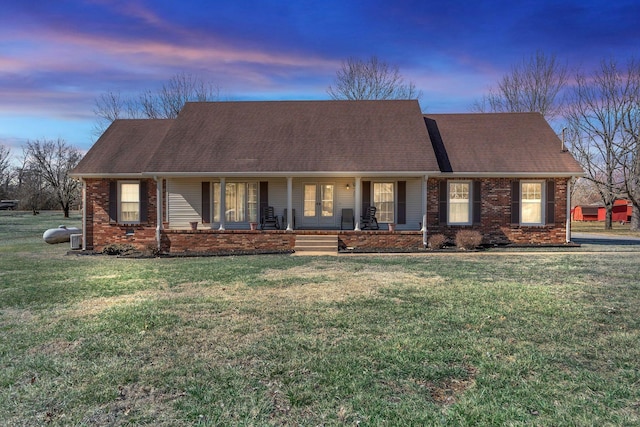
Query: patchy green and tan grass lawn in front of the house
(453, 340)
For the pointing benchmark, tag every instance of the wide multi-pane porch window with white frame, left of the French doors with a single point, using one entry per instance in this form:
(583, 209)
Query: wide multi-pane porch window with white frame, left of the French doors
(241, 202)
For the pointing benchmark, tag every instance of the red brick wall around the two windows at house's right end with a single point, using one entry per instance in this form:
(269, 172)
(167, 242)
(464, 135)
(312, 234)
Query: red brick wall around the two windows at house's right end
(496, 226)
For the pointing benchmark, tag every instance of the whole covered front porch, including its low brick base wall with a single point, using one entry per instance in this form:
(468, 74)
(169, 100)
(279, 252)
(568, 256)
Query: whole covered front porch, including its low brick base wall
(224, 214)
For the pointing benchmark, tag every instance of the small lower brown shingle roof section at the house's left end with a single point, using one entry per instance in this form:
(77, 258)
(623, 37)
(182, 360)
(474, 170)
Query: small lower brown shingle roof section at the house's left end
(125, 148)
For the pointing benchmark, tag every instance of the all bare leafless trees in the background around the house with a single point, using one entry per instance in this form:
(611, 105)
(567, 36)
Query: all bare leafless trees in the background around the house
(598, 111)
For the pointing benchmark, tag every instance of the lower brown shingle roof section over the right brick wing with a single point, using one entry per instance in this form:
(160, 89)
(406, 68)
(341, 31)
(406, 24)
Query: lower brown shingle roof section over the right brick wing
(498, 143)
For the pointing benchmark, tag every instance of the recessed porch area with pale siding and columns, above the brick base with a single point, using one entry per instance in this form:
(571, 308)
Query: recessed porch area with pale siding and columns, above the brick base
(306, 203)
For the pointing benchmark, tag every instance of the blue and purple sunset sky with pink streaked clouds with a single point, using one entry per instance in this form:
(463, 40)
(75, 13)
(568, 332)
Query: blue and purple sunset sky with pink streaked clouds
(57, 57)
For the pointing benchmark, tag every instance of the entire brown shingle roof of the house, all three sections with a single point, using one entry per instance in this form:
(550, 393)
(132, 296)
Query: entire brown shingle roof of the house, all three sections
(280, 137)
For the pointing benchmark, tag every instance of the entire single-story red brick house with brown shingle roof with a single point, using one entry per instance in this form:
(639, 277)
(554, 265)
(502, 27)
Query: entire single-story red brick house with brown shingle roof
(198, 183)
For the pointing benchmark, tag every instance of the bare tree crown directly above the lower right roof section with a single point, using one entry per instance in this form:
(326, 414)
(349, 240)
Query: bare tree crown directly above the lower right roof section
(533, 85)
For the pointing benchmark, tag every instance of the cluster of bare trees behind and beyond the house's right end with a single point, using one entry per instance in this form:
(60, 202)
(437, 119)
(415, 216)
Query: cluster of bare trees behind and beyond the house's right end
(599, 112)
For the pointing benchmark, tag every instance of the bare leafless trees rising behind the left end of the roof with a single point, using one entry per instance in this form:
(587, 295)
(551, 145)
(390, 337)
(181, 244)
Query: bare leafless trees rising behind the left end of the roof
(161, 104)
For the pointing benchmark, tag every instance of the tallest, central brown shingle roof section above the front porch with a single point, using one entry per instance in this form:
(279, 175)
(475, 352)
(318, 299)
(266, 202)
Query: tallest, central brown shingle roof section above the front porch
(296, 136)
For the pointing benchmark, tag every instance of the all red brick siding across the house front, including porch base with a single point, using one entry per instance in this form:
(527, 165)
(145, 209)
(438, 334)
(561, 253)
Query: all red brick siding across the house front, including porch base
(495, 225)
